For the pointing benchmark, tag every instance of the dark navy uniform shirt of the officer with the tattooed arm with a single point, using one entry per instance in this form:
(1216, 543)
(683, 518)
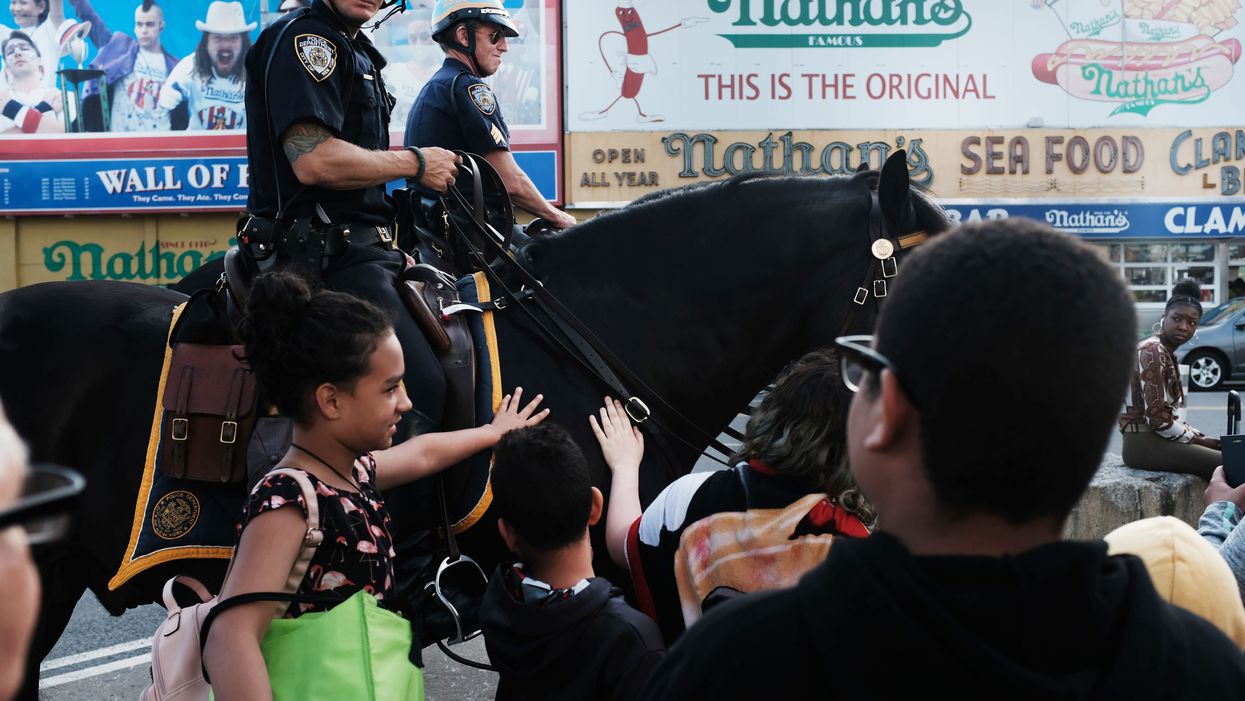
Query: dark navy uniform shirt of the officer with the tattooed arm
(319, 74)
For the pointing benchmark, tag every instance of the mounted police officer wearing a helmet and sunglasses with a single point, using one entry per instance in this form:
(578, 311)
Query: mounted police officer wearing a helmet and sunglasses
(458, 110)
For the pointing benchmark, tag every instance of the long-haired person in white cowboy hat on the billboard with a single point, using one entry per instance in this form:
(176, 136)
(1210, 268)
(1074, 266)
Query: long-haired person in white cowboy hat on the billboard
(212, 82)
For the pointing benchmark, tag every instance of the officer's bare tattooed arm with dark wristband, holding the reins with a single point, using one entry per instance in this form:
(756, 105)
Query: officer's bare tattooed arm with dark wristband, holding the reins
(321, 159)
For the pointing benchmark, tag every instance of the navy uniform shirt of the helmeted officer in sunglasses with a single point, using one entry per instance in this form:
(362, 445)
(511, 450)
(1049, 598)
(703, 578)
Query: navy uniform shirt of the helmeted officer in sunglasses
(458, 111)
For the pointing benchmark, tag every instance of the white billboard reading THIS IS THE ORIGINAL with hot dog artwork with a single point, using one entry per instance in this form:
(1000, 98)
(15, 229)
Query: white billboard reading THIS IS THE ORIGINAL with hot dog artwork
(764, 65)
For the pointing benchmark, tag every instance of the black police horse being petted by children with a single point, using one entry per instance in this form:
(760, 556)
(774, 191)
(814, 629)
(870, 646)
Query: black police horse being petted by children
(705, 293)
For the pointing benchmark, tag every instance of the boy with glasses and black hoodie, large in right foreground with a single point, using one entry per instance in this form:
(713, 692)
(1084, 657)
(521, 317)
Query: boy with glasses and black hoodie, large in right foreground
(974, 431)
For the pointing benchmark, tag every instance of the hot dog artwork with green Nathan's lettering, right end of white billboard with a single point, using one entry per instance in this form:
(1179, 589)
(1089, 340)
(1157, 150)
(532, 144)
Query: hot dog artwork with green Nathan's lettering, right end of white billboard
(1156, 62)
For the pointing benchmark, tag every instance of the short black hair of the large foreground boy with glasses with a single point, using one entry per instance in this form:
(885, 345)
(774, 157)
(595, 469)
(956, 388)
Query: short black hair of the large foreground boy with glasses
(1015, 344)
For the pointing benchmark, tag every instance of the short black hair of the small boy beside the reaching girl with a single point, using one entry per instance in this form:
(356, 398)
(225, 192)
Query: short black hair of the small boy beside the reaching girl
(541, 486)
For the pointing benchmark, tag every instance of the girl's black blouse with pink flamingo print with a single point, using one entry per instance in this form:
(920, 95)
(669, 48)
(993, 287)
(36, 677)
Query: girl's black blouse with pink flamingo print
(358, 550)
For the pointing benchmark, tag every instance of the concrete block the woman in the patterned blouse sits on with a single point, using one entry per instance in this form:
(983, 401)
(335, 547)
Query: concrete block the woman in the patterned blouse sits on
(1120, 495)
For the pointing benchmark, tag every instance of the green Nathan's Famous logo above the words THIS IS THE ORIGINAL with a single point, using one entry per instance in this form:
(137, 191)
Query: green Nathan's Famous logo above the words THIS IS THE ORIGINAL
(845, 23)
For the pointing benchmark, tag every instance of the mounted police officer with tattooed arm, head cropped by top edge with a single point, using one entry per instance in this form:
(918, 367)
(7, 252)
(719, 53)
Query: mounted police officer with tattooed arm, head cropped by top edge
(318, 146)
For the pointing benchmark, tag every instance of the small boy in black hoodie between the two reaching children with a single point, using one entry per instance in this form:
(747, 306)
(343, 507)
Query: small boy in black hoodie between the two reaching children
(552, 628)
